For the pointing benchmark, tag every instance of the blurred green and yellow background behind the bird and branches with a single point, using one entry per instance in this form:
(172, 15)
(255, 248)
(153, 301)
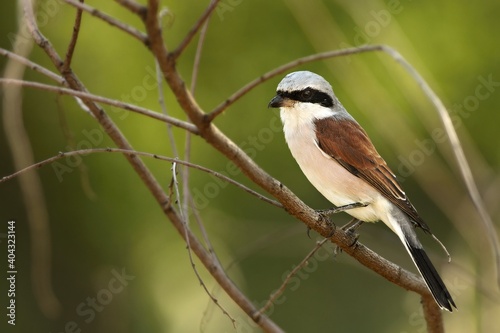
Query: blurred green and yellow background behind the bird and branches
(104, 223)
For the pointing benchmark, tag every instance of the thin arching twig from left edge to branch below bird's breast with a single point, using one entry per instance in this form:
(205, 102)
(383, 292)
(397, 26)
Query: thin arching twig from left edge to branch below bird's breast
(129, 152)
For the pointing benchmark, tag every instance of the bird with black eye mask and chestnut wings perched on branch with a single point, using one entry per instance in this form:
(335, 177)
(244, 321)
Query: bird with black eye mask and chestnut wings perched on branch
(338, 158)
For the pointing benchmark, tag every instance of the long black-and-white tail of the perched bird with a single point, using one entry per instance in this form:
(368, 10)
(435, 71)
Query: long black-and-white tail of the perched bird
(403, 227)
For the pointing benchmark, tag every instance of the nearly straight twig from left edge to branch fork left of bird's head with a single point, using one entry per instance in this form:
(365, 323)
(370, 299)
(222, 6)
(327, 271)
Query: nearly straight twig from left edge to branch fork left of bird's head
(104, 100)
